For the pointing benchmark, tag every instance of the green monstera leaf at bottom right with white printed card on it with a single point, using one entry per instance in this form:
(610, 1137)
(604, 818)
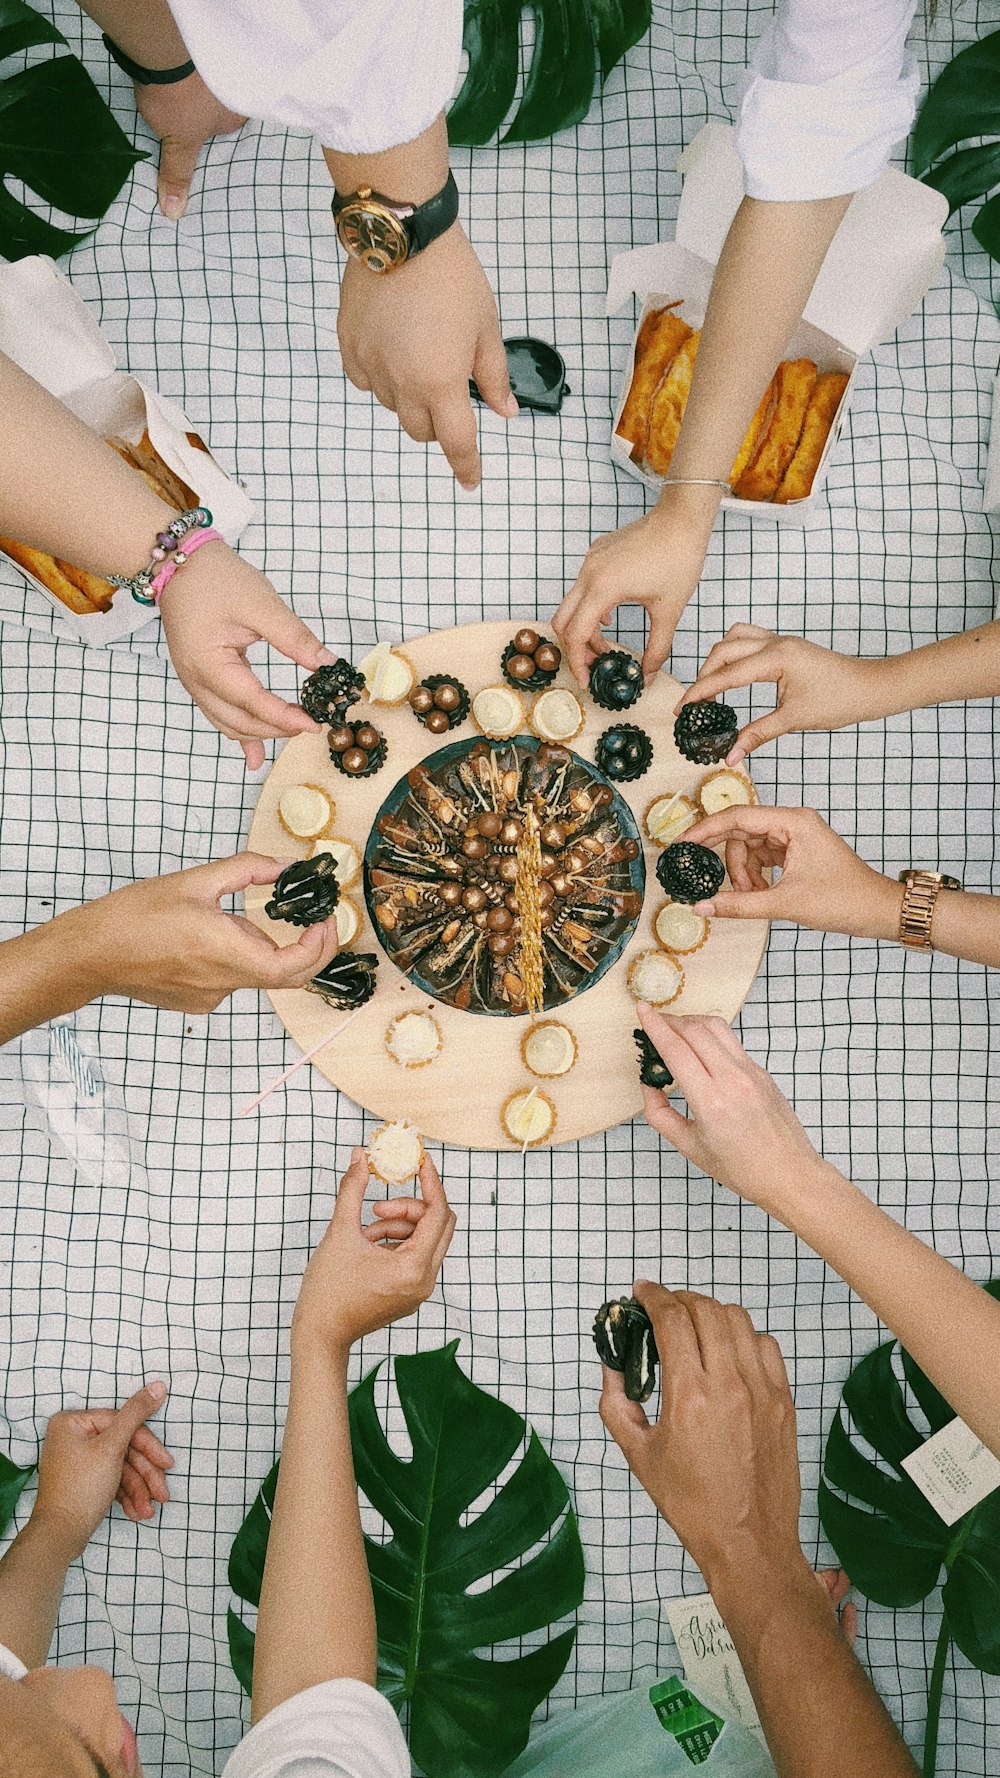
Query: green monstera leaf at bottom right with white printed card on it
(894, 1546)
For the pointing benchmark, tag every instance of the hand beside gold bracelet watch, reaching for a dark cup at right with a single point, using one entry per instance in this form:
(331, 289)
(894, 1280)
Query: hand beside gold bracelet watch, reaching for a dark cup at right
(823, 885)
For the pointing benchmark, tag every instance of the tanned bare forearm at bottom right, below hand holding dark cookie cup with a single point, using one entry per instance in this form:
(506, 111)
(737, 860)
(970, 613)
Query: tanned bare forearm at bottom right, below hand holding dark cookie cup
(819, 1711)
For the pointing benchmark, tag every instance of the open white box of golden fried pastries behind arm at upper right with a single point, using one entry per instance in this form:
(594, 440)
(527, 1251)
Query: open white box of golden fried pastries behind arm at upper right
(878, 269)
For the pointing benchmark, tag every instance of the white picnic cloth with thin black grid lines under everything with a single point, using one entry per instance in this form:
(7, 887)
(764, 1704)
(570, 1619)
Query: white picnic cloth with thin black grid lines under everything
(149, 1231)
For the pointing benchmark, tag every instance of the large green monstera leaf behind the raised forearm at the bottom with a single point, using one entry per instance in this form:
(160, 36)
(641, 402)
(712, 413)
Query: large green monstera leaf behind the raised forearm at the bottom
(469, 1713)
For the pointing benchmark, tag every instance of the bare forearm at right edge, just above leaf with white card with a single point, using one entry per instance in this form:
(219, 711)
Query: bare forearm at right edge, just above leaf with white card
(944, 1320)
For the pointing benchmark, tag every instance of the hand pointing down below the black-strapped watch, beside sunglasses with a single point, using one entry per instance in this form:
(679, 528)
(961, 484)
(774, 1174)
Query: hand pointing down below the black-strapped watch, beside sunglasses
(417, 335)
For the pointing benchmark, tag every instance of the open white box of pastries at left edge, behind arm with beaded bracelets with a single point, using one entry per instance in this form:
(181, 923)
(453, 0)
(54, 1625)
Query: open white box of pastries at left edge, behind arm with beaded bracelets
(51, 333)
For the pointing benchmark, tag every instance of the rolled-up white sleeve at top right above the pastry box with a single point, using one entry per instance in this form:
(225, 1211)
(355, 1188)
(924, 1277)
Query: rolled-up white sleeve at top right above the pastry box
(830, 95)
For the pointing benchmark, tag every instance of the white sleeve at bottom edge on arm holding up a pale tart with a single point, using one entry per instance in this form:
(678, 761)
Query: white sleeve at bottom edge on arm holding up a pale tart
(335, 1731)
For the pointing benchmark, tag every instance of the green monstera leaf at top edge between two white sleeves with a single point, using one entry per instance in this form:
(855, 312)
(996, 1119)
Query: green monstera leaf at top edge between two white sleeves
(572, 40)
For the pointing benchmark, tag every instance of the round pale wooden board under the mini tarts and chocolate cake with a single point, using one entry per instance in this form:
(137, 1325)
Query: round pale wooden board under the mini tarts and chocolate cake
(474, 1078)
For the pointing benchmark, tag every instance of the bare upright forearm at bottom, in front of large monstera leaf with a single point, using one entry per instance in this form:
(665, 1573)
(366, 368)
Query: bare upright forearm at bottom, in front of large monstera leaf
(318, 1619)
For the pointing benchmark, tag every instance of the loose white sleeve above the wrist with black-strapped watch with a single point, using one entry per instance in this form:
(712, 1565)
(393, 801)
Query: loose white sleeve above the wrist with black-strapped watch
(362, 76)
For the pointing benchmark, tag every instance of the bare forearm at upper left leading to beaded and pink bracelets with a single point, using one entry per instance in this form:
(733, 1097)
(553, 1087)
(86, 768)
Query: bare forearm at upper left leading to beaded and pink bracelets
(63, 490)
